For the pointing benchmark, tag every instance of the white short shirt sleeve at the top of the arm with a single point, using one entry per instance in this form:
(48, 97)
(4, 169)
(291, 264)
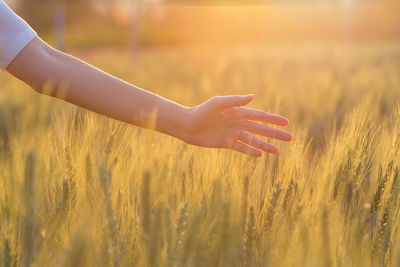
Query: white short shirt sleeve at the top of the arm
(15, 34)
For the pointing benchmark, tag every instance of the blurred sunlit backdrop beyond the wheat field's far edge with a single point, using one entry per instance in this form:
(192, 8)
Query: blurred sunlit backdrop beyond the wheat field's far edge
(174, 23)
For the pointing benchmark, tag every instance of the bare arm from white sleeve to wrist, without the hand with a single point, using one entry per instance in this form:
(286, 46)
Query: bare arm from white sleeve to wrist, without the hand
(51, 72)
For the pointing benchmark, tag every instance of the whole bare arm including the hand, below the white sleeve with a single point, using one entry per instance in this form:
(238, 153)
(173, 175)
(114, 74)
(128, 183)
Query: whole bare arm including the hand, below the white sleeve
(219, 122)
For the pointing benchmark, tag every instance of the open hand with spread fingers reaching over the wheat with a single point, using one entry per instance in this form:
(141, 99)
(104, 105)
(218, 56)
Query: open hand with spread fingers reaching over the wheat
(223, 122)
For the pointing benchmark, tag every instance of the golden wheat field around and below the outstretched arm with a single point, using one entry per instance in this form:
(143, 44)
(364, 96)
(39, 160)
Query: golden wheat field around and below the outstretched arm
(78, 189)
